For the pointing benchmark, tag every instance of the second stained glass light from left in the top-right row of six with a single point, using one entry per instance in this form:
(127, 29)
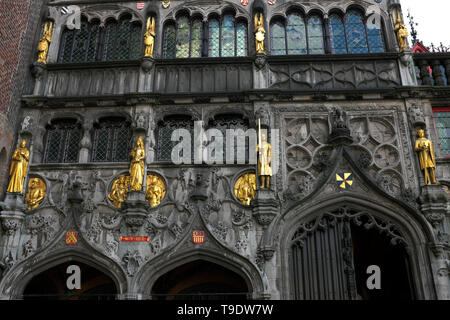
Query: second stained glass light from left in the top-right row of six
(296, 34)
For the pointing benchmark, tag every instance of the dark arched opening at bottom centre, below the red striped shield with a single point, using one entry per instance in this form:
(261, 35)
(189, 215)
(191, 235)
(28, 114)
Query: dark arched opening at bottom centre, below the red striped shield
(200, 280)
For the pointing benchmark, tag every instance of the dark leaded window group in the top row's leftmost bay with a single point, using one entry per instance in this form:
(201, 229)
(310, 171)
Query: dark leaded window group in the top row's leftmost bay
(117, 40)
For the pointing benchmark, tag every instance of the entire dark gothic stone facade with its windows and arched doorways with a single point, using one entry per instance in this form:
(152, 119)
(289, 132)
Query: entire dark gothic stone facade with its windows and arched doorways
(337, 97)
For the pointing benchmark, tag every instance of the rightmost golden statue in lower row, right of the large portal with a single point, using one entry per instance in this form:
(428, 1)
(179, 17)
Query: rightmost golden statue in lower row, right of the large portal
(427, 156)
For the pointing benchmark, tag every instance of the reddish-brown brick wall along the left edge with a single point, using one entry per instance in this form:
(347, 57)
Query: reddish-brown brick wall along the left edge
(19, 27)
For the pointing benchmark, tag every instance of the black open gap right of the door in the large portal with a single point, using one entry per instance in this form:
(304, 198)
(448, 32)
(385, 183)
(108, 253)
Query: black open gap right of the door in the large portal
(372, 248)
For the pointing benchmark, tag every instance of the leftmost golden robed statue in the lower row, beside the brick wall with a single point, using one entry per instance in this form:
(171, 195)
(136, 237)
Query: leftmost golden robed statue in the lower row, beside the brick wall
(19, 167)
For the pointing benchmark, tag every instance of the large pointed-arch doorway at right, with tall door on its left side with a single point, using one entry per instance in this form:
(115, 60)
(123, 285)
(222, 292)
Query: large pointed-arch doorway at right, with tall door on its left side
(330, 255)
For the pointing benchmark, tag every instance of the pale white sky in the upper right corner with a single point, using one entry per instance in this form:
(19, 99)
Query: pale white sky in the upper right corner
(433, 18)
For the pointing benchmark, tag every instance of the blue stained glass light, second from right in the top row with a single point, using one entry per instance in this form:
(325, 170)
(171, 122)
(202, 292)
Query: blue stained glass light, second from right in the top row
(356, 33)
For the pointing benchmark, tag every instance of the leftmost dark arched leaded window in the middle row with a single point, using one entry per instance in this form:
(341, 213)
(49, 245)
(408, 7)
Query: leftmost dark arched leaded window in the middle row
(62, 141)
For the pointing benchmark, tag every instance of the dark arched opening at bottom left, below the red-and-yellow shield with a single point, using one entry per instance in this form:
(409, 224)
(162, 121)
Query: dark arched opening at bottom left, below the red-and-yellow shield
(52, 284)
